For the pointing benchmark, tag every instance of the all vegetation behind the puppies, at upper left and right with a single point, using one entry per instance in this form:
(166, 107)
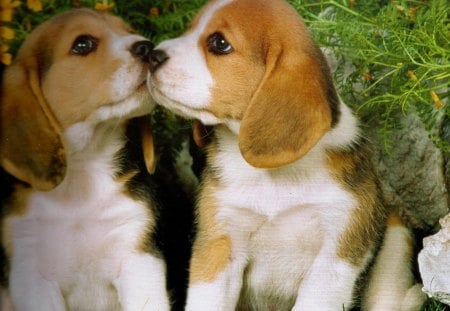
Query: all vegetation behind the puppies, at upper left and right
(391, 57)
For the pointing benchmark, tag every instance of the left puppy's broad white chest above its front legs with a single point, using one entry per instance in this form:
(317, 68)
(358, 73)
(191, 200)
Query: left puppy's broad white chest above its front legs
(80, 247)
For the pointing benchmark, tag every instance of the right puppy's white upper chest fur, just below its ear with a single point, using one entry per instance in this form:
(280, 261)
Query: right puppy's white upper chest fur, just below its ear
(270, 192)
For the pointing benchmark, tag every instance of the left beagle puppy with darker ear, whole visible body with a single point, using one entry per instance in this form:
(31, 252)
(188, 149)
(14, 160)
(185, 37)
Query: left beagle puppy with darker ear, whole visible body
(78, 229)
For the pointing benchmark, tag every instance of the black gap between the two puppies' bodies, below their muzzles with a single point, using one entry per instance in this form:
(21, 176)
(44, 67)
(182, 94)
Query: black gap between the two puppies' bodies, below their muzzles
(170, 205)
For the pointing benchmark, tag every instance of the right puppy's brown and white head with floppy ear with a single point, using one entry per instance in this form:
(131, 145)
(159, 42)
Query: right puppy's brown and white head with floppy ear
(253, 62)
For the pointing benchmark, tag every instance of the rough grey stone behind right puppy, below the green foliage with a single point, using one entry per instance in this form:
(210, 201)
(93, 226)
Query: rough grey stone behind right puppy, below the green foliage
(412, 175)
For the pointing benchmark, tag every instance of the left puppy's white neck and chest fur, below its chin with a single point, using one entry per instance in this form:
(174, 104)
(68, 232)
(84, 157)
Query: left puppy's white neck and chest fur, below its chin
(75, 240)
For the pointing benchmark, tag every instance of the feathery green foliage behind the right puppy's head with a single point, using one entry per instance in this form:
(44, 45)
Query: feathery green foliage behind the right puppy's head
(398, 55)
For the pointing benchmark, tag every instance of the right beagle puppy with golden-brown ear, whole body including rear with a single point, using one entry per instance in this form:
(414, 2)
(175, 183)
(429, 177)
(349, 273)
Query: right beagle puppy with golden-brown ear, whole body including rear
(289, 216)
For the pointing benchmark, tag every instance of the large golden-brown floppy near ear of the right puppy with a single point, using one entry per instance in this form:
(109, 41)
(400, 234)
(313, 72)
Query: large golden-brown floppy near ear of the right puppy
(290, 111)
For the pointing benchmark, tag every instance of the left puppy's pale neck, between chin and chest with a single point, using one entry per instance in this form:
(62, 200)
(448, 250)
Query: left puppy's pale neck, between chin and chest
(90, 152)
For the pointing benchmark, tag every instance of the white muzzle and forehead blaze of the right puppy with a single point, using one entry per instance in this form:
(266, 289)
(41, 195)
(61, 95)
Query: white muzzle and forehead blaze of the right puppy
(186, 78)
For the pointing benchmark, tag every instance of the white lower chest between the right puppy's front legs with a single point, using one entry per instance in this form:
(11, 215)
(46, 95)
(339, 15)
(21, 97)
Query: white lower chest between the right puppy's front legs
(280, 254)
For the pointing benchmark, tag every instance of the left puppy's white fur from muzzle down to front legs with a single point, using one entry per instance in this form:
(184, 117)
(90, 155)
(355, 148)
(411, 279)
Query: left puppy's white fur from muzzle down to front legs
(78, 245)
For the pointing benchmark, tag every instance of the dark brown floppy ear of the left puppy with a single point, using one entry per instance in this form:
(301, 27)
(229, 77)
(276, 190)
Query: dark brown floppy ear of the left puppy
(31, 148)
